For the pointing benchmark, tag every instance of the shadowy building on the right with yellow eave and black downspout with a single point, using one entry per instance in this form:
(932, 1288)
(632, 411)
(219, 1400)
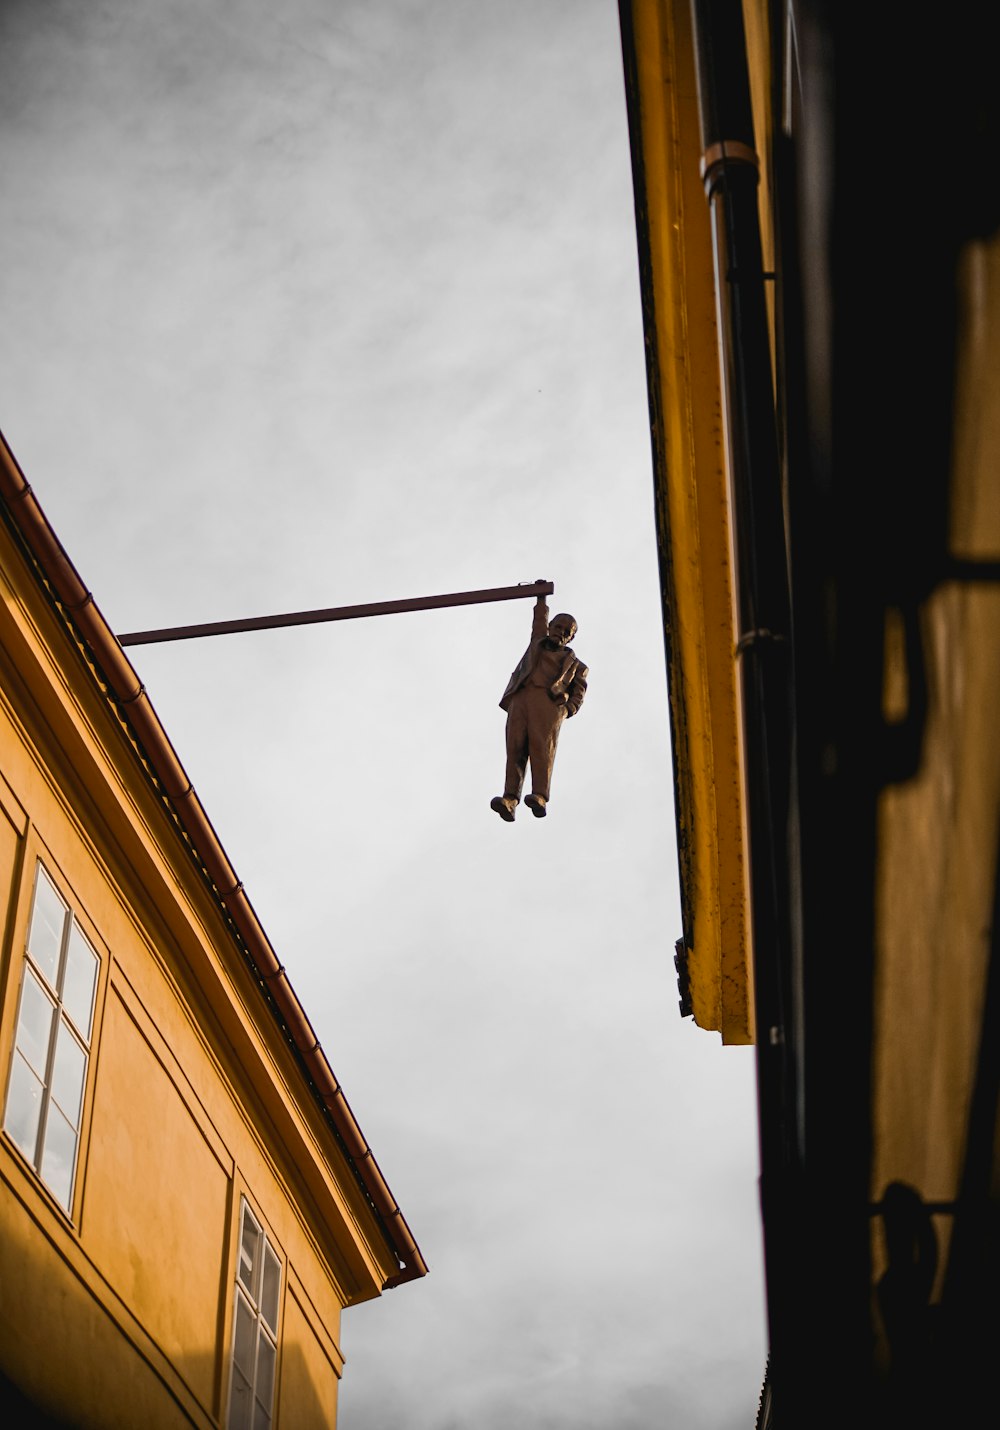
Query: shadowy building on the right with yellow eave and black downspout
(822, 311)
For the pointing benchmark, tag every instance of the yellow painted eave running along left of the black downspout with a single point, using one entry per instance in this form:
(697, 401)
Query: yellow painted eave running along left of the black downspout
(695, 524)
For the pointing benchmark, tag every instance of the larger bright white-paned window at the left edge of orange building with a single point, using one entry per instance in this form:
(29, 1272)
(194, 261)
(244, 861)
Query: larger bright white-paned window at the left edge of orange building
(52, 1045)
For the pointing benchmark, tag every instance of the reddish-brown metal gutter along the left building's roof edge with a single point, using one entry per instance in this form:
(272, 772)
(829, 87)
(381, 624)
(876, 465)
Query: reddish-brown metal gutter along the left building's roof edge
(128, 696)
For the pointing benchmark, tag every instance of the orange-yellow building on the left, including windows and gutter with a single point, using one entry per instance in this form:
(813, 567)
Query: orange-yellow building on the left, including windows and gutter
(187, 1200)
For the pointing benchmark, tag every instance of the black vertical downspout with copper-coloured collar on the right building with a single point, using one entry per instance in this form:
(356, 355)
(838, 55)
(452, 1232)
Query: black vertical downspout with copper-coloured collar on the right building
(730, 169)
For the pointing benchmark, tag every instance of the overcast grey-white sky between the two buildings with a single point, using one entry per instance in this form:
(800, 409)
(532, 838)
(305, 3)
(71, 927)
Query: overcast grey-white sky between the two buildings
(324, 302)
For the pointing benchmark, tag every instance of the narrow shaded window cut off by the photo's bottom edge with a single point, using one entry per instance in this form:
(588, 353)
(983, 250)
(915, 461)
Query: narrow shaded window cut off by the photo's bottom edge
(255, 1328)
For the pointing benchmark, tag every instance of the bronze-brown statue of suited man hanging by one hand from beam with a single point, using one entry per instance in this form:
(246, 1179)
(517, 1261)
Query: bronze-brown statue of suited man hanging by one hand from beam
(547, 687)
